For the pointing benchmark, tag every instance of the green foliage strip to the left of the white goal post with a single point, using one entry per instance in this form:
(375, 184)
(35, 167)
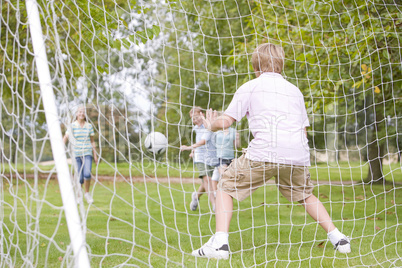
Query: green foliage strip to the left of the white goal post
(20, 113)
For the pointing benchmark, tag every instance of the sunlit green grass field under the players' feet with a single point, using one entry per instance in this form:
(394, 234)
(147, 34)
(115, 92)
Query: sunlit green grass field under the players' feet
(149, 224)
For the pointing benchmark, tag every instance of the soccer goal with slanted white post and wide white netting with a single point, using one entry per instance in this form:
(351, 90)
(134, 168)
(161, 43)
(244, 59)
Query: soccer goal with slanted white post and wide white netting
(125, 69)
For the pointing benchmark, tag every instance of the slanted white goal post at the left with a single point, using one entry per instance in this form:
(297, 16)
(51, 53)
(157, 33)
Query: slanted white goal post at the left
(55, 136)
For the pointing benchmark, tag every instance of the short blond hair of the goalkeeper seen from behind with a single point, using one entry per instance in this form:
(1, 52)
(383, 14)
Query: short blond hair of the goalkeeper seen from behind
(268, 58)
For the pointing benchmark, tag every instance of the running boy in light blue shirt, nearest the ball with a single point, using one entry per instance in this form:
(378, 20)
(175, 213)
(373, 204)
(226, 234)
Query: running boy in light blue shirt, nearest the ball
(204, 157)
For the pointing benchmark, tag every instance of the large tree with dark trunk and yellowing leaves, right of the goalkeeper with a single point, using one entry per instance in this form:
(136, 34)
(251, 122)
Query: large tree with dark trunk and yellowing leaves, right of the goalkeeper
(329, 47)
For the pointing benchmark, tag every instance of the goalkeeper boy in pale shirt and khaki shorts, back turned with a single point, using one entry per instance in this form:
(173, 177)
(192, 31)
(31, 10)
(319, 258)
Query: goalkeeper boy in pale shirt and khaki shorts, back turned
(278, 119)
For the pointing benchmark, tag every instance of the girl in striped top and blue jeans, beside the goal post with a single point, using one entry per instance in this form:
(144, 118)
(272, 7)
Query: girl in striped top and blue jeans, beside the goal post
(82, 140)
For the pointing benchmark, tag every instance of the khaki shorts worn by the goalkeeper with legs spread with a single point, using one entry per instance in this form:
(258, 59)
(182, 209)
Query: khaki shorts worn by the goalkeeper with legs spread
(244, 176)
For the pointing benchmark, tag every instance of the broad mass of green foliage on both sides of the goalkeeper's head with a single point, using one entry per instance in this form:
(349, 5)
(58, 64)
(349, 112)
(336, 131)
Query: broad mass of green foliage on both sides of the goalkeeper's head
(326, 44)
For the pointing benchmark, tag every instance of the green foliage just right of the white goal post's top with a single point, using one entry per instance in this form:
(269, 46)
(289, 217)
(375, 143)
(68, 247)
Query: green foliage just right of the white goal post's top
(93, 35)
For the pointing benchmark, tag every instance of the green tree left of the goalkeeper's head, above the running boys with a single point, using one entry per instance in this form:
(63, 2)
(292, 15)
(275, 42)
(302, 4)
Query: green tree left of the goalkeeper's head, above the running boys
(199, 64)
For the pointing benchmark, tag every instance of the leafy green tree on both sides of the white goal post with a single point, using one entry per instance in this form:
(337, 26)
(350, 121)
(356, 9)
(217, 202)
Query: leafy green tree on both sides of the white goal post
(87, 43)
